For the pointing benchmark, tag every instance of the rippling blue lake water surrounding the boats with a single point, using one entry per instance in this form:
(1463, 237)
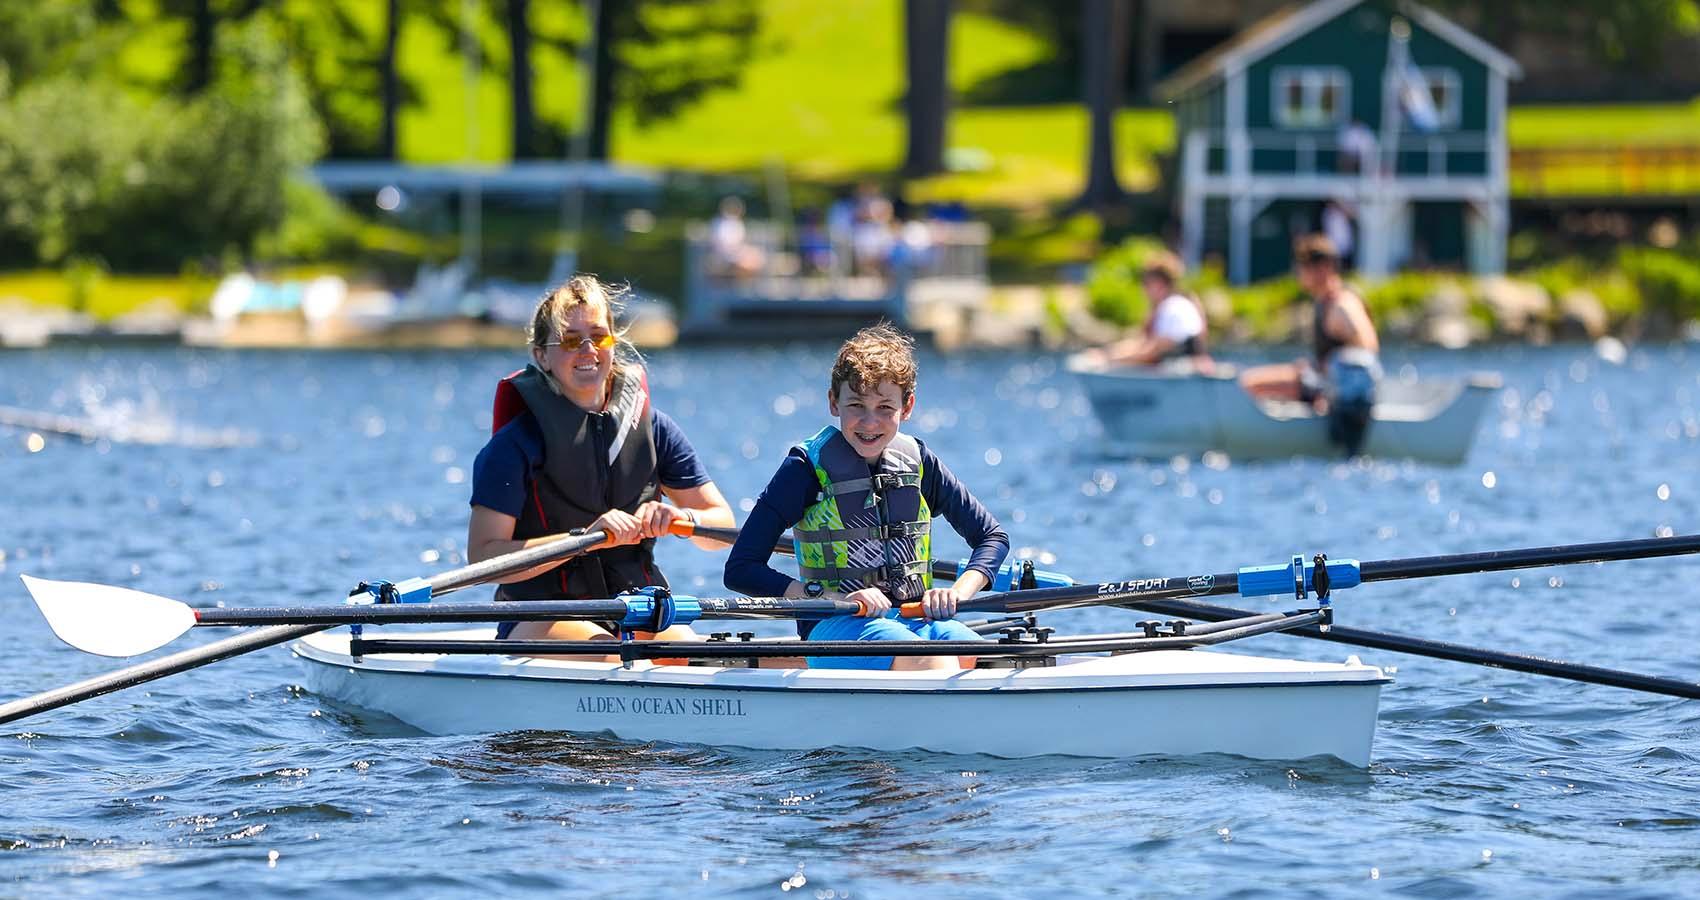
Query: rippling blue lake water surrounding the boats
(1485, 782)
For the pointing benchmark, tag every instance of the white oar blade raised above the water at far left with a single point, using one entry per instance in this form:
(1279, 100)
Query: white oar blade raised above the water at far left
(111, 622)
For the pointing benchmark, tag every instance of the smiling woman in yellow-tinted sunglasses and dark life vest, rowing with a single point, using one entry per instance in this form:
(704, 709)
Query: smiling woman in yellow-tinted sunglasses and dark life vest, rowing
(579, 448)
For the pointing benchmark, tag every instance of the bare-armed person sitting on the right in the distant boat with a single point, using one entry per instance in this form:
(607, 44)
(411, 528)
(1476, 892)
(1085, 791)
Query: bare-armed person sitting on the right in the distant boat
(1346, 365)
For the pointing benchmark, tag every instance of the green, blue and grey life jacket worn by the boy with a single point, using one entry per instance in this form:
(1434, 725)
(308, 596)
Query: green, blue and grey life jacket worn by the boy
(870, 527)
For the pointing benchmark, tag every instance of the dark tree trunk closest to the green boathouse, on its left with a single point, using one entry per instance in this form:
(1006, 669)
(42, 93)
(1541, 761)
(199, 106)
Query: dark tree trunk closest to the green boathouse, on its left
(1104, 67)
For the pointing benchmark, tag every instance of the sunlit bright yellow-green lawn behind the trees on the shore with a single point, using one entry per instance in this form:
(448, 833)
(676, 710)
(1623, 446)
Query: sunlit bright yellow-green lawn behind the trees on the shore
(824, 100)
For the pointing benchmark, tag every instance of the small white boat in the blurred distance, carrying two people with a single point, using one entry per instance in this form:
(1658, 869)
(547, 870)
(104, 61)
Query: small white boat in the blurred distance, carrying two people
(1176, 411)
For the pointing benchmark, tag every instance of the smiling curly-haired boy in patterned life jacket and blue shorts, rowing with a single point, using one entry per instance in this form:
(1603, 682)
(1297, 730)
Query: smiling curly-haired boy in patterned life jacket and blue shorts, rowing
(861, 498)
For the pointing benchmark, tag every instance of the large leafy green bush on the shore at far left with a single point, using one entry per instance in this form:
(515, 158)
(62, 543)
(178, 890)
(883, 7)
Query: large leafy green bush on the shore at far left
(89, 173)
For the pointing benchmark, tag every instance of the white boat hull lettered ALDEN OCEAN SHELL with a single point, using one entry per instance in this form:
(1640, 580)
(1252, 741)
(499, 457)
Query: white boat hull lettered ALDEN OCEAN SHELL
(1159, 702)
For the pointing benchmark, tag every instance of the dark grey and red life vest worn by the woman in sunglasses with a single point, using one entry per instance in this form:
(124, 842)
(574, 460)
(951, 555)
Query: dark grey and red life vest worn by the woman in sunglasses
(592, 462)
